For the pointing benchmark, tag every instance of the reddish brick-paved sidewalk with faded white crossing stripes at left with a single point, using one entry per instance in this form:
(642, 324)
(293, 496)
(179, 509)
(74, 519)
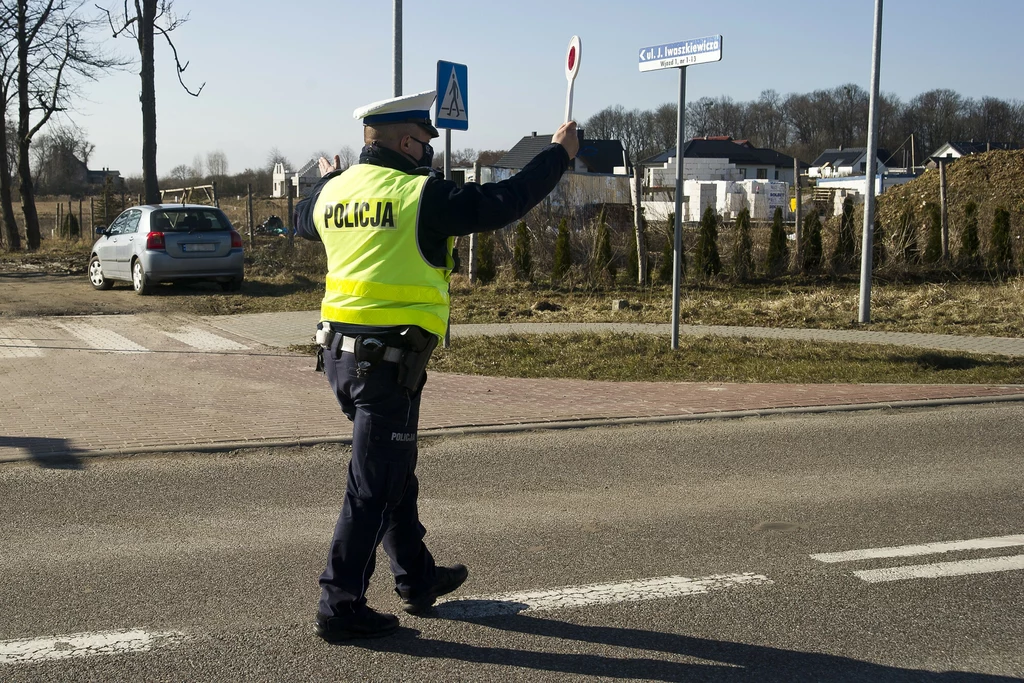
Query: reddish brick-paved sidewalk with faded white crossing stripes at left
(95, 386)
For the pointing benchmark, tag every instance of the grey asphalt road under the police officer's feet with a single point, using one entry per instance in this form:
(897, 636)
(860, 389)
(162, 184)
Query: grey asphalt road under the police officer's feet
(204, 568)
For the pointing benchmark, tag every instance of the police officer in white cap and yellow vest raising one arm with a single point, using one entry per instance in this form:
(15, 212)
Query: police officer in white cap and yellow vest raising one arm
(389, 227)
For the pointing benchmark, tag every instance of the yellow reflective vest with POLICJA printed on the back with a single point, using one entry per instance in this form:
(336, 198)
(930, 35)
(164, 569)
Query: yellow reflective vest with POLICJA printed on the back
(377, 275)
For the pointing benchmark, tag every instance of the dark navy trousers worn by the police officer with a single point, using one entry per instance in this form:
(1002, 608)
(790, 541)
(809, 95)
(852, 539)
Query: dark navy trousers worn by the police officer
(381, 493)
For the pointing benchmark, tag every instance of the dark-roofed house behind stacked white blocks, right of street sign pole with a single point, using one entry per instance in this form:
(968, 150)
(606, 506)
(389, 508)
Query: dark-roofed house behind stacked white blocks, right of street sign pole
(720, 158)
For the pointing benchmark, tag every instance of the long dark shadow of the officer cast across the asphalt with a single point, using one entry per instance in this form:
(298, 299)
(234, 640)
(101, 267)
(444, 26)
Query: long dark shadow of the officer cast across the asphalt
(720, 661)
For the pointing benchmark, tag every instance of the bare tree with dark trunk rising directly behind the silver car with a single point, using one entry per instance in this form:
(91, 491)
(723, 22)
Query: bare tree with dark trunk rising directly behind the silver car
(143, 22)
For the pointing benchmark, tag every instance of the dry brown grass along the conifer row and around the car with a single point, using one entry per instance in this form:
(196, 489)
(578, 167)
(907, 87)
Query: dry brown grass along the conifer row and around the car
(286, 277)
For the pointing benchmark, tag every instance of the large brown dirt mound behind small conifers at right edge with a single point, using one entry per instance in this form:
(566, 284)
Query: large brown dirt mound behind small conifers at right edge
(993, 180)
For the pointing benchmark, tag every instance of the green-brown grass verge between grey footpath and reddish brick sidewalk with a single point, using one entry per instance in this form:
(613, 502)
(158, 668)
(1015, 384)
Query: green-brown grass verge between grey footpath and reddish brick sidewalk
(649, 359)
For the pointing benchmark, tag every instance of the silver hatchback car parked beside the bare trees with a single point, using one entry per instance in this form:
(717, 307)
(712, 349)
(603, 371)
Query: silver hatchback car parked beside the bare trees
(147, 245)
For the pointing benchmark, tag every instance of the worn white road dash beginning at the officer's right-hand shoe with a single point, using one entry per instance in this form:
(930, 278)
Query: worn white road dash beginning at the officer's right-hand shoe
(594, 594)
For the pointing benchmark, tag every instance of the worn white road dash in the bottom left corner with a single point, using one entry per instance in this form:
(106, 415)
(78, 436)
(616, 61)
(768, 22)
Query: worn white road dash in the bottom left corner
(34, 651)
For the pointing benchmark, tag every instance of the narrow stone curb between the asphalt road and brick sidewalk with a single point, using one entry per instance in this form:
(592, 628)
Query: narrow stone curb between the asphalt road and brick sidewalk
(584, 423)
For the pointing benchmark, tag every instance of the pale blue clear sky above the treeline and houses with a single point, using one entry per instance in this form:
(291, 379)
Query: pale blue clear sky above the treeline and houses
(288, 75)
